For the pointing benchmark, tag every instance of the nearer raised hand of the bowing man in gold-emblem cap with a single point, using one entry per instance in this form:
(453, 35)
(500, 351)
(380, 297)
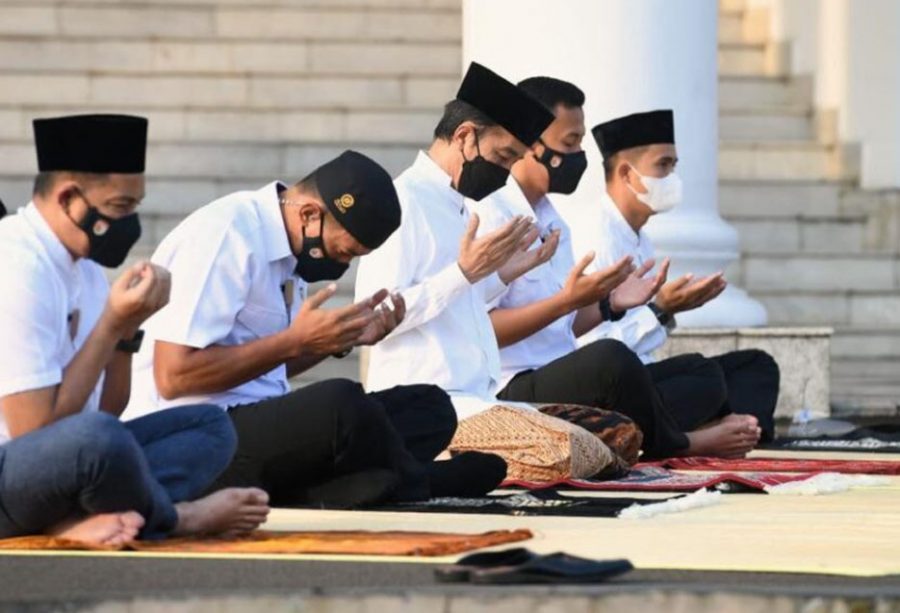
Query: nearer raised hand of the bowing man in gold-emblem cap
(319, 331)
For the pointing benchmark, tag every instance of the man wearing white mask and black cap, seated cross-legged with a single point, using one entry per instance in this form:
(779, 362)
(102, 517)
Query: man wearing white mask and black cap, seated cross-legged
(639, 159)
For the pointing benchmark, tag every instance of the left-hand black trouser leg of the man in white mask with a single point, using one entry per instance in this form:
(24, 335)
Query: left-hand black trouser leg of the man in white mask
(693, 389)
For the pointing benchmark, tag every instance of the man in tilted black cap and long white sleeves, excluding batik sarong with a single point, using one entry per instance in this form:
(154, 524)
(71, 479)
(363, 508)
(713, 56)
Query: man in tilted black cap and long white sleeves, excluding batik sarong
(435, 262)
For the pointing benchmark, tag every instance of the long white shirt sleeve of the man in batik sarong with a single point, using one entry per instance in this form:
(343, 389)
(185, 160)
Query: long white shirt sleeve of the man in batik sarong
(392, 266)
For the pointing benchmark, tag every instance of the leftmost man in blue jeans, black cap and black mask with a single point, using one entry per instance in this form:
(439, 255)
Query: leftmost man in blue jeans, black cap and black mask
(68, 466)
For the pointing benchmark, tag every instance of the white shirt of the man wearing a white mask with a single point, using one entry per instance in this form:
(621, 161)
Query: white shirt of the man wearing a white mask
(612, 239)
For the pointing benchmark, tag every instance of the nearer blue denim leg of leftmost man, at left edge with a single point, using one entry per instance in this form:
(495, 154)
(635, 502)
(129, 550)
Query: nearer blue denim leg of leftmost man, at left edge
(83, 465)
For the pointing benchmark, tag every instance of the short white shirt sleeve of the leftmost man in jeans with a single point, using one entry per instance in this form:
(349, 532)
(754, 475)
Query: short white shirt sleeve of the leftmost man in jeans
(31, 330)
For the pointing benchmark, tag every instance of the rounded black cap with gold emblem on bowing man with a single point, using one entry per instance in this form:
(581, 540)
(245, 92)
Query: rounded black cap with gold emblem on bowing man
(361, 196)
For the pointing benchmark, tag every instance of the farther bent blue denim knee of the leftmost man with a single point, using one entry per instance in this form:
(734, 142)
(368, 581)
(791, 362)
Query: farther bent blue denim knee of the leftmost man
(186, 447)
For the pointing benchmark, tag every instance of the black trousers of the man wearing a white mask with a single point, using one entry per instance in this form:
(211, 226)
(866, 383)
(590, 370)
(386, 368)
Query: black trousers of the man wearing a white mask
(697, 389)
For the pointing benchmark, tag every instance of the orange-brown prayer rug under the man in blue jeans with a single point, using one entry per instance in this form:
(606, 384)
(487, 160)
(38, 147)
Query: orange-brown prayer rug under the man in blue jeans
(426, 544)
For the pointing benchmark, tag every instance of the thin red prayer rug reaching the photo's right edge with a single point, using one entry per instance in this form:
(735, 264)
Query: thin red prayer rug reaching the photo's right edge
(865, 467)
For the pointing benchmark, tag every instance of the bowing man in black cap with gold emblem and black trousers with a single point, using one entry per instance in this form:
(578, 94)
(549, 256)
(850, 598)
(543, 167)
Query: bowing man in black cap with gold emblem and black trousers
(240, 323)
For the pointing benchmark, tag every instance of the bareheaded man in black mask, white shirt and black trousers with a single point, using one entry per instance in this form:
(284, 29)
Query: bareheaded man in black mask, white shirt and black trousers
(540, 315)
